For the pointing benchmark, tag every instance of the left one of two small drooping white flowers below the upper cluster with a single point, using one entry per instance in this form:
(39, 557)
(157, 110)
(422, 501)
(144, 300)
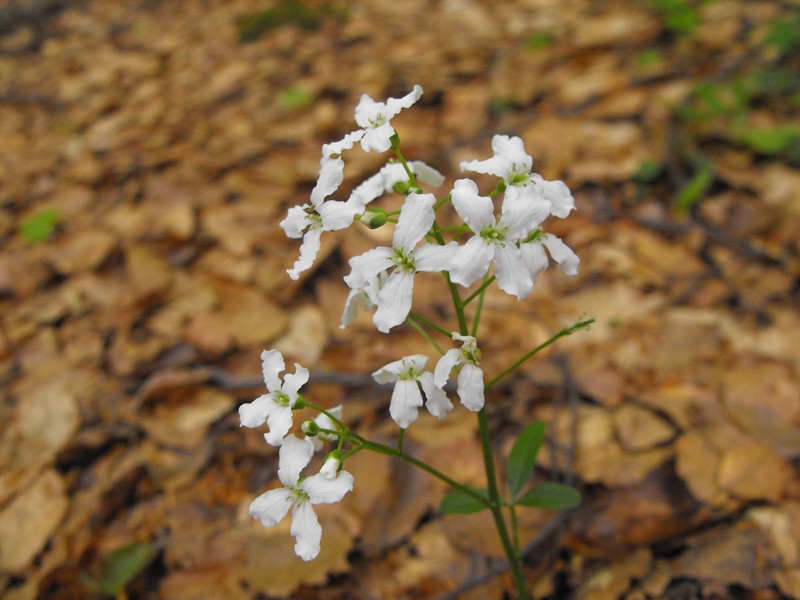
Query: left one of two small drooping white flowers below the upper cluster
(409, 374)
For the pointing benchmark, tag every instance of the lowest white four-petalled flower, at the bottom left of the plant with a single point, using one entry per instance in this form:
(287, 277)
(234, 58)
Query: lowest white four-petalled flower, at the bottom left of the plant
(271, 507)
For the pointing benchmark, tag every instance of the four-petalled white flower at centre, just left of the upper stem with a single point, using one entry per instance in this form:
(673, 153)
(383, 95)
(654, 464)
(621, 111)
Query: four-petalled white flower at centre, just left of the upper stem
(394, 298)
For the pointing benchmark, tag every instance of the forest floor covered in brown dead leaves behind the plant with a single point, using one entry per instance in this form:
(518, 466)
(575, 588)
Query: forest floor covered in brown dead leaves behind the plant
(148, 151)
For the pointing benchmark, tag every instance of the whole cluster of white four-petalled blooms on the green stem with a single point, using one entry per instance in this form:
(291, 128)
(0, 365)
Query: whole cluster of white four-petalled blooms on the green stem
(511, 248)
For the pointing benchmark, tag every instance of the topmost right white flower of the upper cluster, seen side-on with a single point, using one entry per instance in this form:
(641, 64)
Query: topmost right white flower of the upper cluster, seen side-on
(513, 165)
